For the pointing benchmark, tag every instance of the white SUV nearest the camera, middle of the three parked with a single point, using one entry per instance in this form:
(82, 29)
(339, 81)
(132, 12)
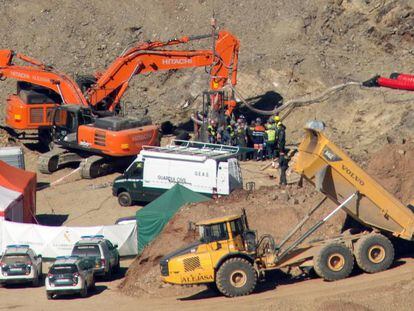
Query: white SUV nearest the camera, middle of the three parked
(70, 275)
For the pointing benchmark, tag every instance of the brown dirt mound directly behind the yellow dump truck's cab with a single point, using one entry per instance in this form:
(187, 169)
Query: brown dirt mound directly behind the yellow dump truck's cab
(269, 209)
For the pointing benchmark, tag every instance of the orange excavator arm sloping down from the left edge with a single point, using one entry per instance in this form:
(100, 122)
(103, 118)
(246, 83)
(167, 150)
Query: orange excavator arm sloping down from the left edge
(40, 74)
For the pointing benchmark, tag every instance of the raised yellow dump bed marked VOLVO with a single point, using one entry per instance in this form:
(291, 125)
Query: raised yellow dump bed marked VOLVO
(333, 173)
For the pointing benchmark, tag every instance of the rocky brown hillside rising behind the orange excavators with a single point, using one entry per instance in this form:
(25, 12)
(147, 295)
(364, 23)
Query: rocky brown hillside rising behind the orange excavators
(289, 49)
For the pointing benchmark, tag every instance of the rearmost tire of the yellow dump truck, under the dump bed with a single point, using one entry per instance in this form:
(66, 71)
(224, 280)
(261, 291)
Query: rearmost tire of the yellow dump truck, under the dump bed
(374, 253)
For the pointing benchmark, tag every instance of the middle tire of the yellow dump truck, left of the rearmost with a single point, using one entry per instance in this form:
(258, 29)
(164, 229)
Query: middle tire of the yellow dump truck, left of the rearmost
(333, 262)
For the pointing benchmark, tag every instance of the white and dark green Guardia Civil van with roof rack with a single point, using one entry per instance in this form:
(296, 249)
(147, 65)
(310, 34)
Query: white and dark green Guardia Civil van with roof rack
(203, 168)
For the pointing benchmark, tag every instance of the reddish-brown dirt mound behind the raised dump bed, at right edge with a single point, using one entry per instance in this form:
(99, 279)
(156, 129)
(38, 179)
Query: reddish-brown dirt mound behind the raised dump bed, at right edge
(393, 167)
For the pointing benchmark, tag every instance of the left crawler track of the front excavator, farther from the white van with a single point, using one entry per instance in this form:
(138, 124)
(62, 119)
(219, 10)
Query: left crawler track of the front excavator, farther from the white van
(55, 159)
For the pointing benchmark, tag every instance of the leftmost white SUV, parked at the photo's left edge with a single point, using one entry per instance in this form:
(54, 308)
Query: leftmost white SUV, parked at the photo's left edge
(20, 264)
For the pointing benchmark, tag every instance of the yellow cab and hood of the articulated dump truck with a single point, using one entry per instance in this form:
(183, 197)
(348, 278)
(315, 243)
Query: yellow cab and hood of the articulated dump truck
(225, 239)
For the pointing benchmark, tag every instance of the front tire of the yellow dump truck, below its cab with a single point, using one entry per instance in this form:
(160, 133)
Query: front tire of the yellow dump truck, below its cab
(236, 277)
